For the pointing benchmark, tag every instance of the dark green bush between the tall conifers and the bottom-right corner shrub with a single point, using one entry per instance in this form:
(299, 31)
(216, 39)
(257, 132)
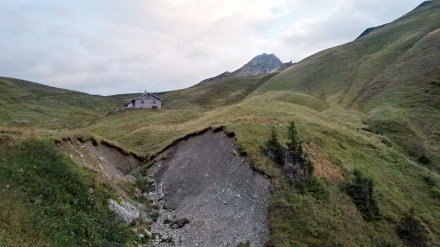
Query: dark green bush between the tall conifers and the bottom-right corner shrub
(361, 191)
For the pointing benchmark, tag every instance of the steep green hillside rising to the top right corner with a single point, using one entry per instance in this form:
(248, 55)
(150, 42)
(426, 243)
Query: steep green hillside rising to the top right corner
(391, 74)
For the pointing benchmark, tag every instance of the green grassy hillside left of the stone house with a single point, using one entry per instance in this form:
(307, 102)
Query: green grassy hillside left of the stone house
(41, 105)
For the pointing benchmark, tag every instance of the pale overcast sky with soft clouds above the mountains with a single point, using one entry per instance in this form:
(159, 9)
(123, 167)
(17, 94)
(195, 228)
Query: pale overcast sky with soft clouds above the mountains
(114, 46)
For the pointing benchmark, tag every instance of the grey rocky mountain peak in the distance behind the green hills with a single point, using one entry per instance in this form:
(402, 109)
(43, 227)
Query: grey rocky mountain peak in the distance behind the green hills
(259, 65)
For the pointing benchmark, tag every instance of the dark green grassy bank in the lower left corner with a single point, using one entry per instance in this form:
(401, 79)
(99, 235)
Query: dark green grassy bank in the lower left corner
(47, 200)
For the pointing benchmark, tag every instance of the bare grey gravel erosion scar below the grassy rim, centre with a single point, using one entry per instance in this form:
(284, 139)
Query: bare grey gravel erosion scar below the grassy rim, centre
(203, 180)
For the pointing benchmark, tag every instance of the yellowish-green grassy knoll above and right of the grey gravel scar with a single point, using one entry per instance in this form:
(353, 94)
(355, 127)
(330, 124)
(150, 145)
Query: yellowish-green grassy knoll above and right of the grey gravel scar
(333, 137)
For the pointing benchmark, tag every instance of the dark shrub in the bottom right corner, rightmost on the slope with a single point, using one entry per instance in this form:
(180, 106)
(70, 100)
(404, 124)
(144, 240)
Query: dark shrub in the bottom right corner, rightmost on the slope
(412, 231)
